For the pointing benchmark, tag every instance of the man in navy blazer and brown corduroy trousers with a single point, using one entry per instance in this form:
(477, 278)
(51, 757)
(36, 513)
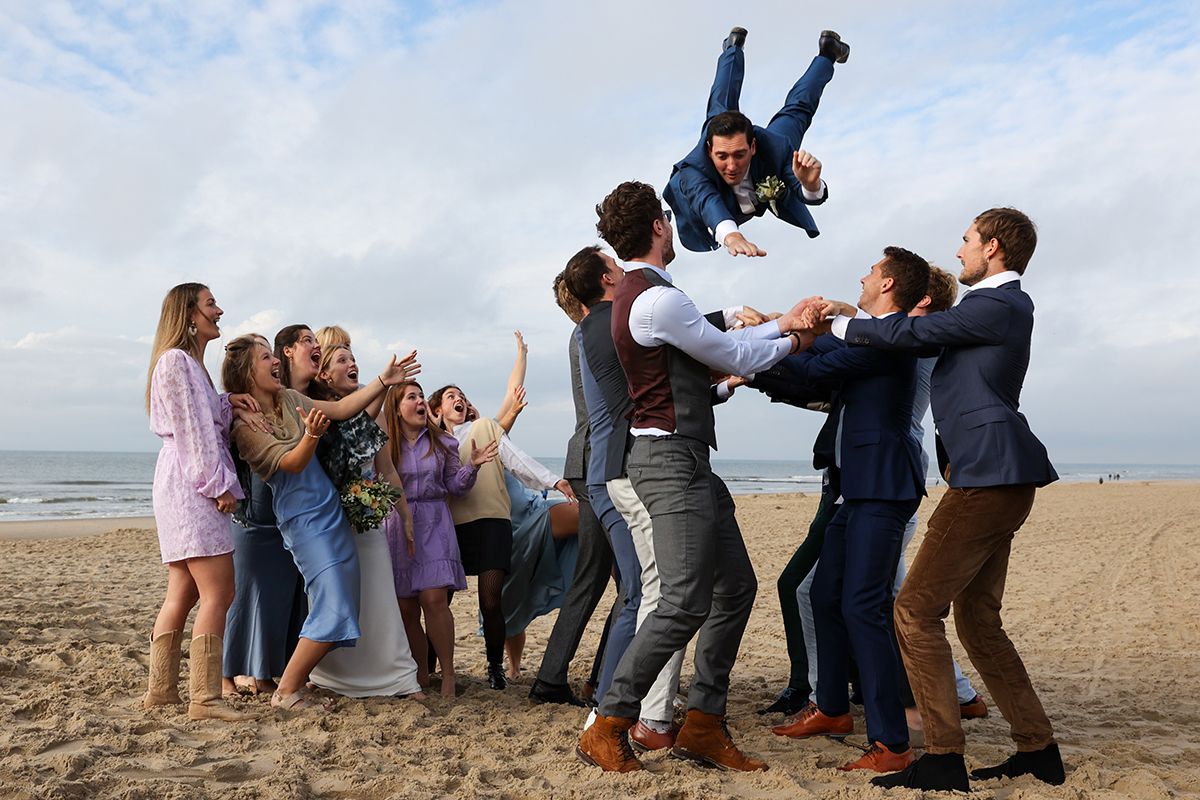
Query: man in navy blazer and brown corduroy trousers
(995, 467)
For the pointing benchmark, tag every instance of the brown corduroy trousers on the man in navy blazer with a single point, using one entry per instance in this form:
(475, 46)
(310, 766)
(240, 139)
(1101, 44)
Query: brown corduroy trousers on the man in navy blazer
(964, 561)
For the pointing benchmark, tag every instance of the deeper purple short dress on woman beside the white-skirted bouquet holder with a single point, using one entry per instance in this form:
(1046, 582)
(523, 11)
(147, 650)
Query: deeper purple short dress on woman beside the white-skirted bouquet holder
(429, 478)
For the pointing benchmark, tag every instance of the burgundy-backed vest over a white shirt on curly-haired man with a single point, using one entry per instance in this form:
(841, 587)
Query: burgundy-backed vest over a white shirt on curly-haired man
(670, 389)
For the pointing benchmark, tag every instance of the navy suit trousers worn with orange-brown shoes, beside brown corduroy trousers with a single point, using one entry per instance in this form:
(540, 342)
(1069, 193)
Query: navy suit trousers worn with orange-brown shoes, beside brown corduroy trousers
(851, 597)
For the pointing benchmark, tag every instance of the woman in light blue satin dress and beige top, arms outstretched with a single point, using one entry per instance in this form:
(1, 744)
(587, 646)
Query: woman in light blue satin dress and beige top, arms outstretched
(307, 506)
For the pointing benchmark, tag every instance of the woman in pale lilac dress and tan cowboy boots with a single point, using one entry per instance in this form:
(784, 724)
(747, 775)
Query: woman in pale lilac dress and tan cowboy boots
(195, 490)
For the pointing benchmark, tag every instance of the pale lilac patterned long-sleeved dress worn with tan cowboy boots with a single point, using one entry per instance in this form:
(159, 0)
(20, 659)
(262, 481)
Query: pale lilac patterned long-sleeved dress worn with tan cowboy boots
(195, 466)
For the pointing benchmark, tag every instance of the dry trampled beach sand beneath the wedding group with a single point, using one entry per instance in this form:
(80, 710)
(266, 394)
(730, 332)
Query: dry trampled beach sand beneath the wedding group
(1102, 603)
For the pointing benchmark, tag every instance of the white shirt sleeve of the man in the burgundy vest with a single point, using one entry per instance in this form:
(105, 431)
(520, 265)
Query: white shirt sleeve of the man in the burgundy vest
(667, 316)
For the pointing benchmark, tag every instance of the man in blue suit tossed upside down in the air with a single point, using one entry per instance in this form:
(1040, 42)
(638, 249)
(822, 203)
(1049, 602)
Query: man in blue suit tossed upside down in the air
(713, 190)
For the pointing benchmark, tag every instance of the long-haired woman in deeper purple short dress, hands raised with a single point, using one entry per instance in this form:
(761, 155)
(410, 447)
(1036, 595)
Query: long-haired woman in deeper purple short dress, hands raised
(428, 566)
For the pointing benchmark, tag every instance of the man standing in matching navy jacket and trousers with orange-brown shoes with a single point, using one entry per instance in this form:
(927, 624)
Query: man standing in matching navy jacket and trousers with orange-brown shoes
(881, 486)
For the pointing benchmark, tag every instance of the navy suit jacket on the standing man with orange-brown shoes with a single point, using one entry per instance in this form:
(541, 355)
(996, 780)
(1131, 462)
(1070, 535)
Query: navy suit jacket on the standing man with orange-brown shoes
(880, 460)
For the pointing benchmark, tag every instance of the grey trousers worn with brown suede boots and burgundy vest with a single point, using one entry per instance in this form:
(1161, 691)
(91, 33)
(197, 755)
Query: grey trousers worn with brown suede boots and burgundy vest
(705, 574)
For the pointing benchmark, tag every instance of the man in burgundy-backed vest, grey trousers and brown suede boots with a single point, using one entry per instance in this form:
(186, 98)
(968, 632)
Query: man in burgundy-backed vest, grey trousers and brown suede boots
(669, 351)
